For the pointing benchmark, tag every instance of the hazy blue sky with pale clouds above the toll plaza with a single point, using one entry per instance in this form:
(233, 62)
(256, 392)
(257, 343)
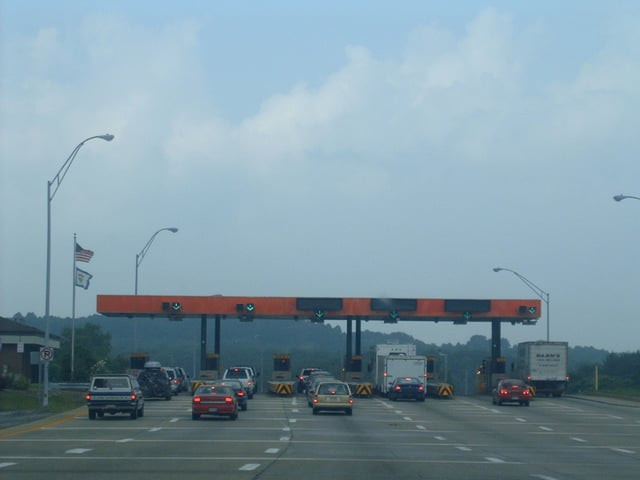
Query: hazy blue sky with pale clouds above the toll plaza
(330, 149)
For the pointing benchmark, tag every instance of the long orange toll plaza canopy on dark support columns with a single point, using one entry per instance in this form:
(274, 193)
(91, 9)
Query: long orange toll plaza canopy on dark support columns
(318, 309)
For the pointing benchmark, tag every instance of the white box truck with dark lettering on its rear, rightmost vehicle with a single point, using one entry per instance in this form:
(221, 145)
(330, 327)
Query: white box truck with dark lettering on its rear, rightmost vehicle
(543, 365)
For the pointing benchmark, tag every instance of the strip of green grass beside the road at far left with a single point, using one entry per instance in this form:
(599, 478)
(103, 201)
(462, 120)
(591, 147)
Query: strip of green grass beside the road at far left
(29, 400)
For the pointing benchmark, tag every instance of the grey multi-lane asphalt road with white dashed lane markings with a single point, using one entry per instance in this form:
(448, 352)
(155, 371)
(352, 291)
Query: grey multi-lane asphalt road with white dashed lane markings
(279, 438)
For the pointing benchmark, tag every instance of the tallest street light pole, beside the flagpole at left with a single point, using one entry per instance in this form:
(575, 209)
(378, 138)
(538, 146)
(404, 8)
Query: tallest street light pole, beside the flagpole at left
(55, 183)
